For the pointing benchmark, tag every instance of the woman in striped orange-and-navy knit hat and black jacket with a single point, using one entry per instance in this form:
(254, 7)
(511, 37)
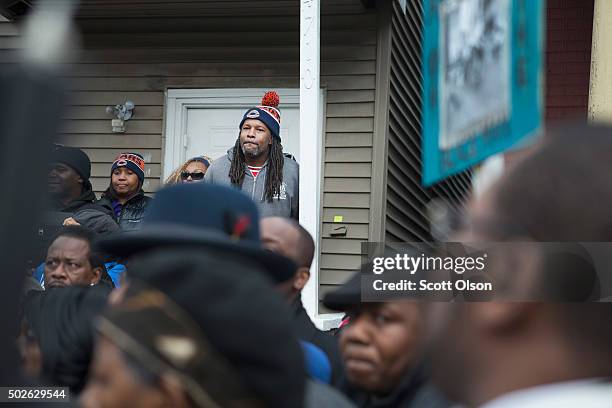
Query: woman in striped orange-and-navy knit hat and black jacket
(124, 196)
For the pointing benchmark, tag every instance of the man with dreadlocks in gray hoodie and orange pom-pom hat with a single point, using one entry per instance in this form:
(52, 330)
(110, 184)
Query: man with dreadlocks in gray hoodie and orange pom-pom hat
(256, 164)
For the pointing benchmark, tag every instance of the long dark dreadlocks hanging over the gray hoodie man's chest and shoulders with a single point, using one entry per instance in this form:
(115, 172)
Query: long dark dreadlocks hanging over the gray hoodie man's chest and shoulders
(274, 175)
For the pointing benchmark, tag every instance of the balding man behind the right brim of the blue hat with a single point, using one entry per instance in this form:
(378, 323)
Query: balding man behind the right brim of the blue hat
(287, 237)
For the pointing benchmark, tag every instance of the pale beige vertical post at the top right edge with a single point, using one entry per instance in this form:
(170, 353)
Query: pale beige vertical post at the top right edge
(600, 88)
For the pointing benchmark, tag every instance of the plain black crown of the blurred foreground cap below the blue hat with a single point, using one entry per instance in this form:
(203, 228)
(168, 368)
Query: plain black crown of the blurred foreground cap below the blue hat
(238, 312)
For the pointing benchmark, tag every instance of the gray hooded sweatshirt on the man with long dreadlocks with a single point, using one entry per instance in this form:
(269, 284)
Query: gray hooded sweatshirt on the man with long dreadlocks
(283, 205)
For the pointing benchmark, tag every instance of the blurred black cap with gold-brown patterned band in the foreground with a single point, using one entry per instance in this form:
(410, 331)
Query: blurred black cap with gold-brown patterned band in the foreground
(223, 307)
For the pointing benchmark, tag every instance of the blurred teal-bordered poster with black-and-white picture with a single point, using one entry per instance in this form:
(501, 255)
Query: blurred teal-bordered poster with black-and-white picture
(482, 80)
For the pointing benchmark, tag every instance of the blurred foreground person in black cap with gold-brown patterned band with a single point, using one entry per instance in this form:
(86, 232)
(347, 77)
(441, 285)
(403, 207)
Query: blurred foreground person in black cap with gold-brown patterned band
(207, 339)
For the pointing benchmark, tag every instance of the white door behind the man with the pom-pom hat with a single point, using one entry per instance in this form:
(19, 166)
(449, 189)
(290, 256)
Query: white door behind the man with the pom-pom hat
(211, 131)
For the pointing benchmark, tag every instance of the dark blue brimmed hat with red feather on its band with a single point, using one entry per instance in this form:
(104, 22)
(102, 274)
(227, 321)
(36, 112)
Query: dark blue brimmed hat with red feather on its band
(217, 218)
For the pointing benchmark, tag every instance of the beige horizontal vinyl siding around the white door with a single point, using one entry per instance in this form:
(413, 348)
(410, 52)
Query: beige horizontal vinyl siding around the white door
(132, 53)
